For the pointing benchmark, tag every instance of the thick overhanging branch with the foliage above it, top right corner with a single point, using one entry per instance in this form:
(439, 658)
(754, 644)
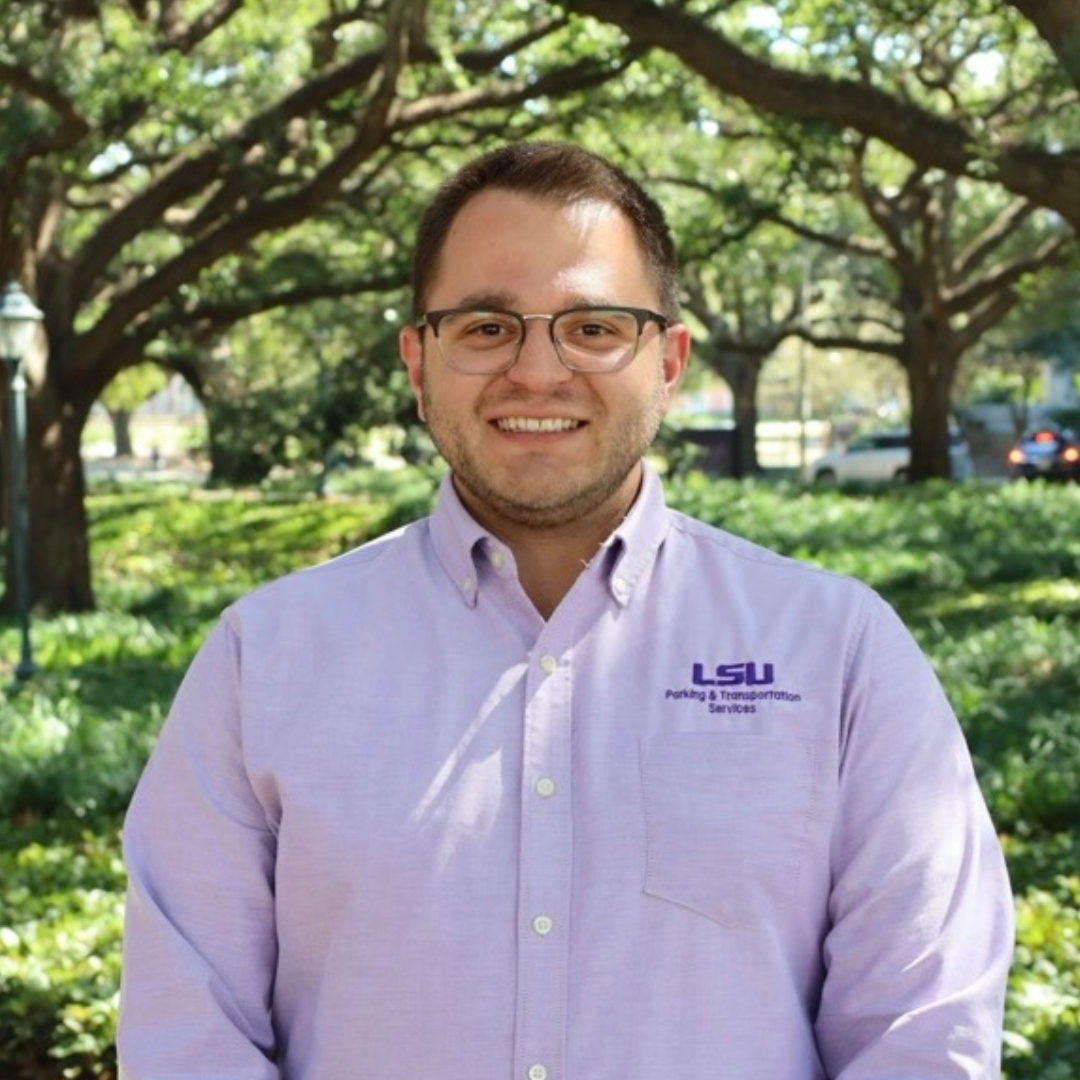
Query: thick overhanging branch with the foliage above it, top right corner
(965, 88)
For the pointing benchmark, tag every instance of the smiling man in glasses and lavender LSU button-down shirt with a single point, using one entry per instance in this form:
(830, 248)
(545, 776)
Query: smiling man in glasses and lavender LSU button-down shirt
(559, 785)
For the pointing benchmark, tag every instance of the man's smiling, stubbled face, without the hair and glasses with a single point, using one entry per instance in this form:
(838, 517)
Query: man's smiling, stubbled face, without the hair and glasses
(514, 252)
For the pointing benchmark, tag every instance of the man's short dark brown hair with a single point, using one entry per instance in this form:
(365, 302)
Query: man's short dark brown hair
(557, 172)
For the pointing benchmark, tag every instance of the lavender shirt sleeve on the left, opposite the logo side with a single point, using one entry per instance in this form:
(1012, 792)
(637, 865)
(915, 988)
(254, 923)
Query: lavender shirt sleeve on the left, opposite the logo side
(200, 948)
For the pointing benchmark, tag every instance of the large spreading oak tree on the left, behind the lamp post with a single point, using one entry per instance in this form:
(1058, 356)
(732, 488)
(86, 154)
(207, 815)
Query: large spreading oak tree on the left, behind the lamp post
(159, 161)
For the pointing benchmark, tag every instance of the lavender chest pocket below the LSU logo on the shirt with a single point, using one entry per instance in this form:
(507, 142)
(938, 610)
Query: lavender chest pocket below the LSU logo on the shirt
(727, 821)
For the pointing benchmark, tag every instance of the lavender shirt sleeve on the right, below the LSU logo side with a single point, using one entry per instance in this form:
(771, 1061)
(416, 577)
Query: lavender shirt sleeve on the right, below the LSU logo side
(922, 921)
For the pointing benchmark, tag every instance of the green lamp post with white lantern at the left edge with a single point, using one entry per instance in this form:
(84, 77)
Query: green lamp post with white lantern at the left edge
(19, 319)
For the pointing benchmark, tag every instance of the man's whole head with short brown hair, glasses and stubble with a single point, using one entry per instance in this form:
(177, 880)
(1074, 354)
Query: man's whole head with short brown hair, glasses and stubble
(545, 352)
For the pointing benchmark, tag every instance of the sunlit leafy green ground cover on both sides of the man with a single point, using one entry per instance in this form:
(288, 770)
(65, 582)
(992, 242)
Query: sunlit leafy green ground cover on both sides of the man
(989, 578)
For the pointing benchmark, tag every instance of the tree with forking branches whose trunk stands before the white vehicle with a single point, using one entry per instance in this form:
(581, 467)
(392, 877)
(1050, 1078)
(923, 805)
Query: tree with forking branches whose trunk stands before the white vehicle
(937, 264)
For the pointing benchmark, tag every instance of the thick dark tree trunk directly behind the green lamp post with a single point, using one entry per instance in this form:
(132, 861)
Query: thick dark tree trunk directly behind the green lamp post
(59, 551)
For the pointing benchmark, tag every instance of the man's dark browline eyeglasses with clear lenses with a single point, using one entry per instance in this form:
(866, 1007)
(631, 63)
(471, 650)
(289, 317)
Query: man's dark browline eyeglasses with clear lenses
(597, 341)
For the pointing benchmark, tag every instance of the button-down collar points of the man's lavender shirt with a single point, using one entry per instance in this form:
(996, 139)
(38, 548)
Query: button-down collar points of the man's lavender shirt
(462, 542)
